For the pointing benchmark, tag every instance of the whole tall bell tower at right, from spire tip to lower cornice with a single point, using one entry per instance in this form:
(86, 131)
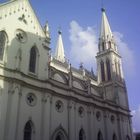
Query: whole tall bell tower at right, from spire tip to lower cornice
(109, 65)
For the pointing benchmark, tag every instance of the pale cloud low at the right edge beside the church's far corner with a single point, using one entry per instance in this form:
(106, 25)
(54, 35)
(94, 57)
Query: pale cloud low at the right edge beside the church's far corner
(136, 119)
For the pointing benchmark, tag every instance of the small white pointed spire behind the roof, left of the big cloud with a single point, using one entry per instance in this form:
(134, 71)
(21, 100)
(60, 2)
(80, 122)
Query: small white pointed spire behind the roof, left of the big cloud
(59, 52)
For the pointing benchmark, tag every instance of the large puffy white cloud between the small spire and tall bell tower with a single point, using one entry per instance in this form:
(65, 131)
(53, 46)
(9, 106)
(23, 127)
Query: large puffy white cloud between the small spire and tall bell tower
(83, 45)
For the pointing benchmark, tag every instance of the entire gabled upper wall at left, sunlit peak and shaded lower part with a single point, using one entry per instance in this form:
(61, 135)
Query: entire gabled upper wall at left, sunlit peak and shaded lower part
(24, 31)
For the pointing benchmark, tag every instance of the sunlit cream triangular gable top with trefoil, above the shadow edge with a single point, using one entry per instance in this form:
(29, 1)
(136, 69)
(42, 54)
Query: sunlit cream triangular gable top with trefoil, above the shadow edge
(20, 15)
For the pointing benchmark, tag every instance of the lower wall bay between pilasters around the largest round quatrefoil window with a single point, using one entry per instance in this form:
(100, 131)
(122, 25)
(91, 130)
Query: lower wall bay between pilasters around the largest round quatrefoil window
(29, 112)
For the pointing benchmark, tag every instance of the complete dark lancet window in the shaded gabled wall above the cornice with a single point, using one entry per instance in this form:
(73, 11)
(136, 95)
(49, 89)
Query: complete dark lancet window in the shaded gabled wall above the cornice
(33, 59)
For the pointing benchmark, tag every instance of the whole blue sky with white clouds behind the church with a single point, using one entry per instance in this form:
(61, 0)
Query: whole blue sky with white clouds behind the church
(80, 22)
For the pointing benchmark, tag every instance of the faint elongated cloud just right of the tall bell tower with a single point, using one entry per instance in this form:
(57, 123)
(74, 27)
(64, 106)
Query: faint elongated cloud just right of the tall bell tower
(126, 53)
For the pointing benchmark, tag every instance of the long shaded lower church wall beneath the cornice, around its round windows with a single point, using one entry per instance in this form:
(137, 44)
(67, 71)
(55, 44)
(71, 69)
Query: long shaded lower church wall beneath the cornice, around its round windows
(47, 119)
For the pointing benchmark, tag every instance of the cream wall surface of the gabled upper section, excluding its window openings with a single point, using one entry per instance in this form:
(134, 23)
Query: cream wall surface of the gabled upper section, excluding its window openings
(34, 36)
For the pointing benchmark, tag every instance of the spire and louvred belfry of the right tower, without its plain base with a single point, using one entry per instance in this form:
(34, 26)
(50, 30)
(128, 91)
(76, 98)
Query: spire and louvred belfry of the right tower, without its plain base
(108, 57)
